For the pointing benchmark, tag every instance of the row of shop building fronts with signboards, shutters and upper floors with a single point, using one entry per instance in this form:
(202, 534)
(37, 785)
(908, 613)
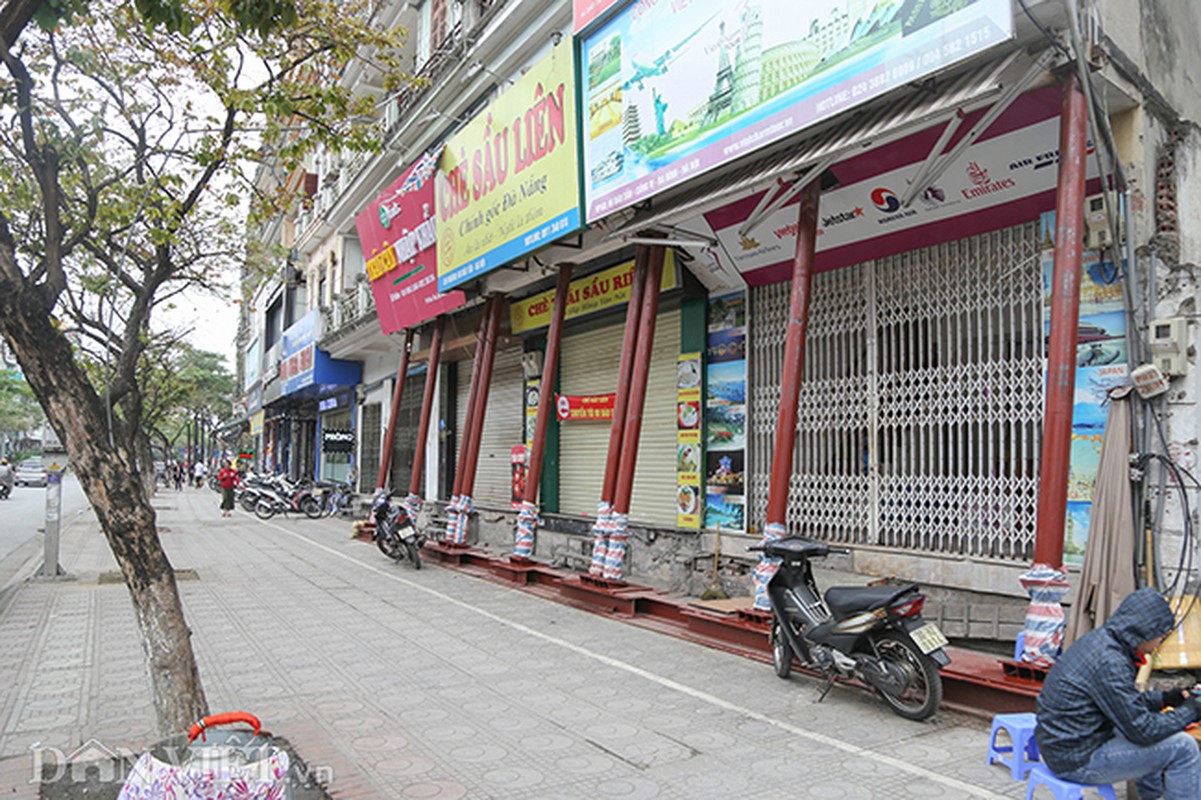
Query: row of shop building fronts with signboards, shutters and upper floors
(935, 130)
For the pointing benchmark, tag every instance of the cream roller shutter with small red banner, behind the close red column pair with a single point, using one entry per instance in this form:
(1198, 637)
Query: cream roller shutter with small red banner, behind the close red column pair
(589, 366)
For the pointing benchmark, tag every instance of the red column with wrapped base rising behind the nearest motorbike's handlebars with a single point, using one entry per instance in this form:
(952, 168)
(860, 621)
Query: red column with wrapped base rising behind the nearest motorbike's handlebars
(790, 386)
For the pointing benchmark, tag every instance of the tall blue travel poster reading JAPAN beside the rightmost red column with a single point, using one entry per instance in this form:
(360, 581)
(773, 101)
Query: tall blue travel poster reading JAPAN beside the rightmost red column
(1102, 365)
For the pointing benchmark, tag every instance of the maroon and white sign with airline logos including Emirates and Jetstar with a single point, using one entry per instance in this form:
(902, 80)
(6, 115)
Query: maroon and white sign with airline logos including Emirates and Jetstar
(1003, 181)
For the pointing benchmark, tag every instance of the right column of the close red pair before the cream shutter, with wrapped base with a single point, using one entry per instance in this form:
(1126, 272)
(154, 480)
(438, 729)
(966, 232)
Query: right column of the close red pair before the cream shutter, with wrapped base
(616, 557)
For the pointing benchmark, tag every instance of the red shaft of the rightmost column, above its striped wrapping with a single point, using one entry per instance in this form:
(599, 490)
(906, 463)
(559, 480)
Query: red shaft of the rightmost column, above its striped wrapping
(1069, 234)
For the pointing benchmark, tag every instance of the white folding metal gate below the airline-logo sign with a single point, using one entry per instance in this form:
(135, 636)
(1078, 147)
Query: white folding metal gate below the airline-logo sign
(921, 403)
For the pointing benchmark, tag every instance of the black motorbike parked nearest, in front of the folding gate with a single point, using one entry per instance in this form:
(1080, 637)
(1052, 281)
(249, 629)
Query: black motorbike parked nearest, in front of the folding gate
(871, 634)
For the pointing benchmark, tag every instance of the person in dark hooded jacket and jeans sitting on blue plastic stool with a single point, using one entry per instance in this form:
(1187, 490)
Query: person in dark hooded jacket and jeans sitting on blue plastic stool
(1096, 727)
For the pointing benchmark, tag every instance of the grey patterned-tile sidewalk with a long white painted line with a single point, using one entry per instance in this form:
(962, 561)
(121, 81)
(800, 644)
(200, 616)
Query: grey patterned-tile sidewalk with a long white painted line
(401, 684)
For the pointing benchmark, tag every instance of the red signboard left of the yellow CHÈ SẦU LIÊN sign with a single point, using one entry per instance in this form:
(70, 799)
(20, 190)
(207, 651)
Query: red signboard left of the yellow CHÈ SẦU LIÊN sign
(398, 231)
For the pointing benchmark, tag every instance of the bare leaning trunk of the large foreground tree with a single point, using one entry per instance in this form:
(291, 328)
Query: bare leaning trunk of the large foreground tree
(118, 497)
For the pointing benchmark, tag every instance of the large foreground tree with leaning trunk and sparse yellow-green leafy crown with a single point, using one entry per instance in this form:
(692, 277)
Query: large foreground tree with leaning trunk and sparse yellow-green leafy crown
(134, 130)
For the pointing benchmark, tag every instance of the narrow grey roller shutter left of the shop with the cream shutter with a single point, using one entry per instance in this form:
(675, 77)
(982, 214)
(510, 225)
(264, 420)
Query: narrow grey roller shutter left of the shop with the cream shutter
(503, 426)
